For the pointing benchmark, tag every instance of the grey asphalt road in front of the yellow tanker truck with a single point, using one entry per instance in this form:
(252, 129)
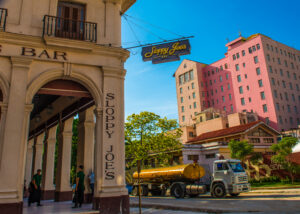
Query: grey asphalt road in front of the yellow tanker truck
(276, 202)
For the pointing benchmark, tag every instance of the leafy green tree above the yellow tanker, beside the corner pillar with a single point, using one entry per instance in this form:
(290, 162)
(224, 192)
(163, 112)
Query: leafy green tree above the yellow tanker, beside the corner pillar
(147, 134)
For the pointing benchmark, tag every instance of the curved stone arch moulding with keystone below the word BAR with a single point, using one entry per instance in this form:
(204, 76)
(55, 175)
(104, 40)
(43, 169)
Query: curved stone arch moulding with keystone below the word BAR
(58, 73)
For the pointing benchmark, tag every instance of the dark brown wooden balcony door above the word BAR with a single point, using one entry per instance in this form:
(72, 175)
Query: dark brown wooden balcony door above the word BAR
(70, 20)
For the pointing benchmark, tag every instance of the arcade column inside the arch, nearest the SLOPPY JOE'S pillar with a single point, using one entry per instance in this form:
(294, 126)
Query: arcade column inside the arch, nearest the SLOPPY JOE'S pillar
(85, 147)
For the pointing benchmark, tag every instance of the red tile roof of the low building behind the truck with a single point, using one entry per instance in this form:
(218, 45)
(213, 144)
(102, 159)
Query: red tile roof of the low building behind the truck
(224, 132)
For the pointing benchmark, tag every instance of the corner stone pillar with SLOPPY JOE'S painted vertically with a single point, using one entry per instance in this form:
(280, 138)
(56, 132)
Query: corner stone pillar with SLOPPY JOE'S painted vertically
(110, 191)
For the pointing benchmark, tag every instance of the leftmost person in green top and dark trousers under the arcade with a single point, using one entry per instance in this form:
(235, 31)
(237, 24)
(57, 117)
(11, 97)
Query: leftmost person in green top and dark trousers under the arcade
(35, 189)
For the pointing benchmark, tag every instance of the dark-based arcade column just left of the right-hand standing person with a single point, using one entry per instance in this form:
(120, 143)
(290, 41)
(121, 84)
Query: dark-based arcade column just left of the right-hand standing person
(63, 191)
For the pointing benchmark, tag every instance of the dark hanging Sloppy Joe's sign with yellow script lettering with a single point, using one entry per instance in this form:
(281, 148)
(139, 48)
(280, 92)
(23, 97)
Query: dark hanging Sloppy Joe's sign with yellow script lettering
(167, 52)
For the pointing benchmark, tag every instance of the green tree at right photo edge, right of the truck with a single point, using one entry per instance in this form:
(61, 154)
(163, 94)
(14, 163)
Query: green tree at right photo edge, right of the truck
(283, 150)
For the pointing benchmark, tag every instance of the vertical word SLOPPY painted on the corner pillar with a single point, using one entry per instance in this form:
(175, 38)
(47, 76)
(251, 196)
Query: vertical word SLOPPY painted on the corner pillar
(109, 114)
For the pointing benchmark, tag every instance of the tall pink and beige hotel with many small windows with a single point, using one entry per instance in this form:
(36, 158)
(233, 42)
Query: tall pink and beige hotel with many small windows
(257, 74)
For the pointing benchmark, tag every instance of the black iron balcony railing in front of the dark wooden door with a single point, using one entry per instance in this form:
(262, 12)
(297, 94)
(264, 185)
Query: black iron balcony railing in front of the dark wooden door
(70, 29)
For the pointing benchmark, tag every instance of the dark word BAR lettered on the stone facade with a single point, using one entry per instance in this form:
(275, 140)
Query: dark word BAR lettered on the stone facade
(44, 54)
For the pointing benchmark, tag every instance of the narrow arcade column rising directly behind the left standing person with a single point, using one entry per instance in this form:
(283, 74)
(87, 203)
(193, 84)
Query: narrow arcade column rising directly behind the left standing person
(38, 153)
